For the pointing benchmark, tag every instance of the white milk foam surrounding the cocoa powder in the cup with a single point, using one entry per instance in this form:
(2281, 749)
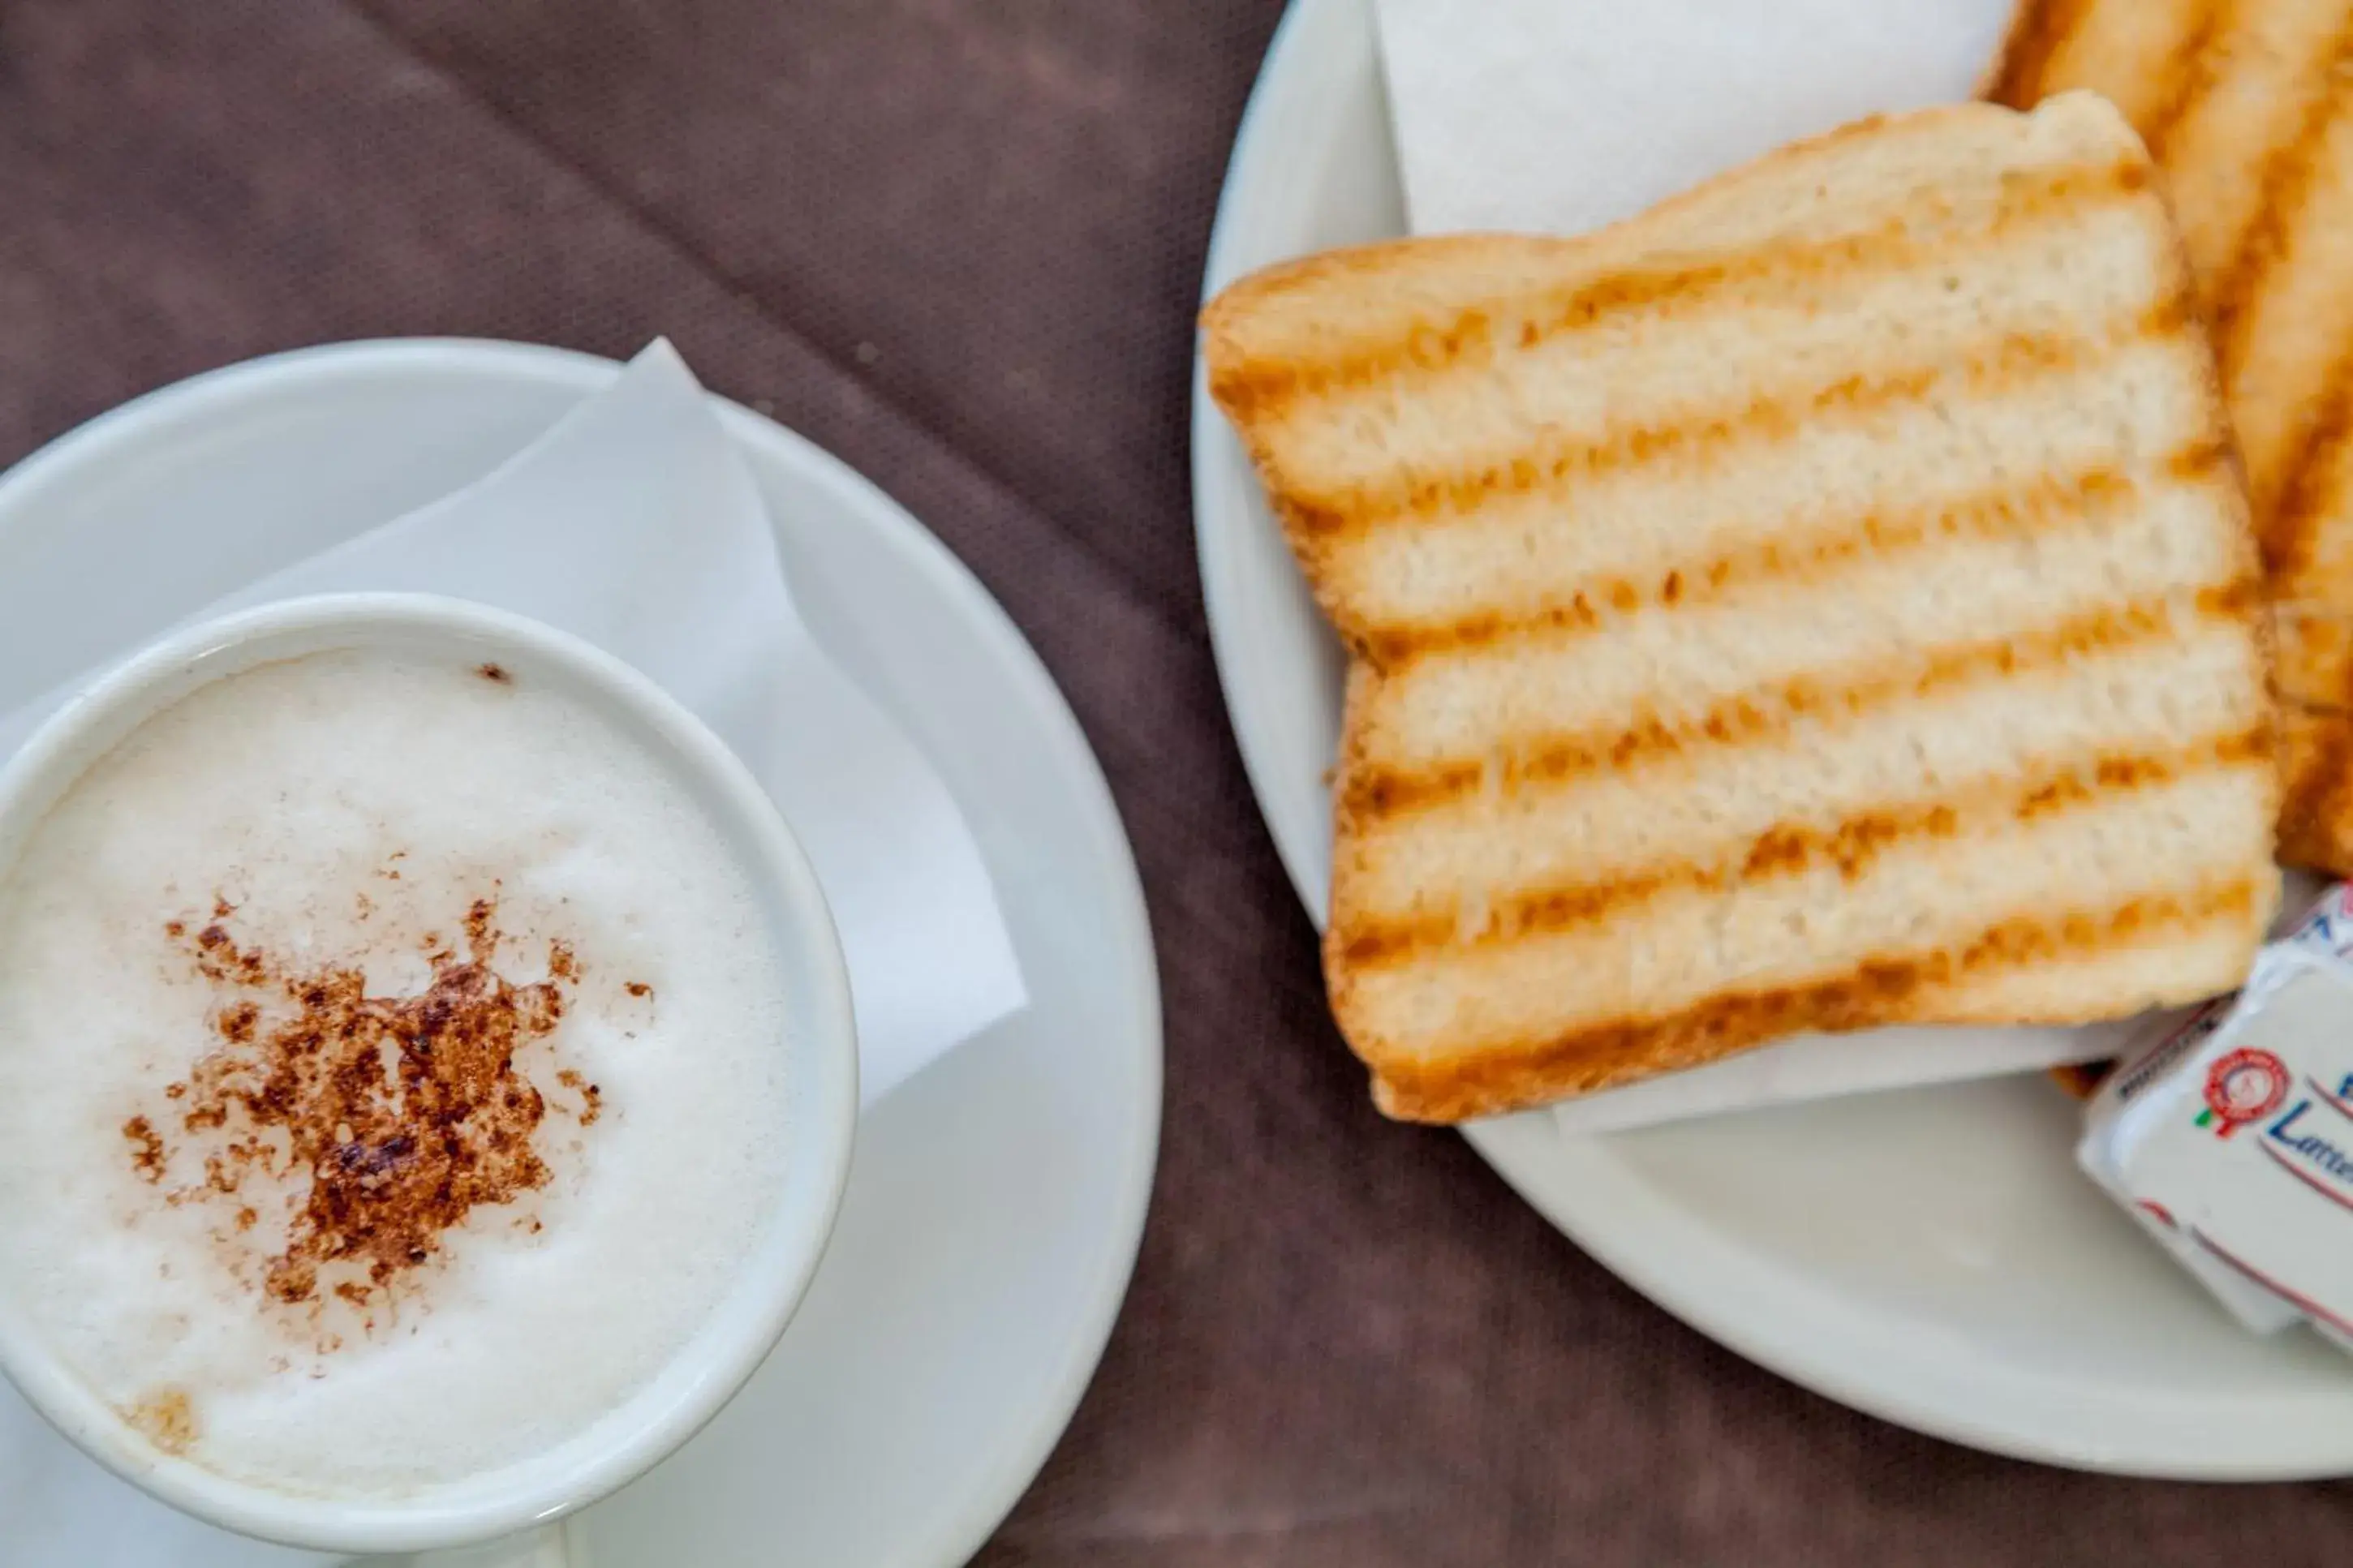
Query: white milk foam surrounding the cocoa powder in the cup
(349, 808)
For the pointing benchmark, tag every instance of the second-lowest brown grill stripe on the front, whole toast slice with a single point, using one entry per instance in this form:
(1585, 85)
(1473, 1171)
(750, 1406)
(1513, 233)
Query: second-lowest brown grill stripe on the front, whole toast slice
(1848, 847)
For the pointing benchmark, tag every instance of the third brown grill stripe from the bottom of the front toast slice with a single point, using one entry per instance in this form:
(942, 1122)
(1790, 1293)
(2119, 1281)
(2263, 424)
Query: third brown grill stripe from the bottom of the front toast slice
(1375, 791)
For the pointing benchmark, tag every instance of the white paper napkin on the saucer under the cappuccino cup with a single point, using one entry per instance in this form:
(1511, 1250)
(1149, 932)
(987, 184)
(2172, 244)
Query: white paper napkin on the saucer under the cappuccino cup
(636, 525)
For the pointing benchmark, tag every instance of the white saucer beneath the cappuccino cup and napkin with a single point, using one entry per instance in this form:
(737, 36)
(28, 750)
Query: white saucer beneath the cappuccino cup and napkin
(996, 1200)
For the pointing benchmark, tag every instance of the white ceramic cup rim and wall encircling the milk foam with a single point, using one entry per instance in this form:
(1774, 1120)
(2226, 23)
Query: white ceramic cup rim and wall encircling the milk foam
(822, 1080)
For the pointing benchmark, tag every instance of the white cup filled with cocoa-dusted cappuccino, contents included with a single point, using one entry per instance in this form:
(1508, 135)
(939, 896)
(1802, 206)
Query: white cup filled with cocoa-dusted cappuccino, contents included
(427, 1073)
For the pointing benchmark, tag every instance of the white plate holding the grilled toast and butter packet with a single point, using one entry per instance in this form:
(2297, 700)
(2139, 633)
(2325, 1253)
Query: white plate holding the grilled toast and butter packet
(1928, 1257)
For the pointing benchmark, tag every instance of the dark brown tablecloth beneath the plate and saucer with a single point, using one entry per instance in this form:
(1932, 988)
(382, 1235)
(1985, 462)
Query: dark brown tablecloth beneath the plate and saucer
(959, 243)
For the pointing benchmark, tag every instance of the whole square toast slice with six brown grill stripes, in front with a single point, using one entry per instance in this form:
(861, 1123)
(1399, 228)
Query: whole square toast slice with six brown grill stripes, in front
(1825, 601)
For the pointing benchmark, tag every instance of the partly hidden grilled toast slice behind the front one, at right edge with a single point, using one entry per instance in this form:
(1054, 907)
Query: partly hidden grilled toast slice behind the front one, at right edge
(2246, 109)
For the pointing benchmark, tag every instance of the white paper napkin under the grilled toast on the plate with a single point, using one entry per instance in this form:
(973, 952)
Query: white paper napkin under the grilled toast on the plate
(1542, 116)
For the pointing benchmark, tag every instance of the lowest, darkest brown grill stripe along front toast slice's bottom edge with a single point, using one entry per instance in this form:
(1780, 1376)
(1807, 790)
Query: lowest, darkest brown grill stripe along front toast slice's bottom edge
(1874, 991)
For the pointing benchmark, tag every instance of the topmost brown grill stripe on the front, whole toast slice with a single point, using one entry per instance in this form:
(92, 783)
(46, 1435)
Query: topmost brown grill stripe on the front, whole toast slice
(1792, 269)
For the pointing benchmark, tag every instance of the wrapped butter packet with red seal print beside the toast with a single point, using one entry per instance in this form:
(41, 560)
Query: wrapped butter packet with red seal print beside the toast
(2229, 1137)
